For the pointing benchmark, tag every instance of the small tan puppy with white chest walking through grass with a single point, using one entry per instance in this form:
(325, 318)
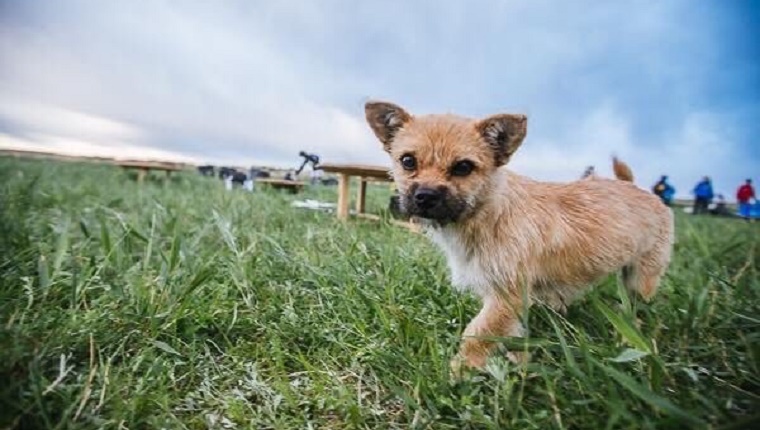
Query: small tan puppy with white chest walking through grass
(507, 237)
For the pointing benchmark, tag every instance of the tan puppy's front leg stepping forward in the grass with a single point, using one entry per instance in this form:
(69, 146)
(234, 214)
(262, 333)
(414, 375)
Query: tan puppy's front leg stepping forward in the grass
(499, 317)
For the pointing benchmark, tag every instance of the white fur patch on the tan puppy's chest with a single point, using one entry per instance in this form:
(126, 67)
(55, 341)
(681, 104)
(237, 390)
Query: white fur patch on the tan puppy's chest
(468, 270)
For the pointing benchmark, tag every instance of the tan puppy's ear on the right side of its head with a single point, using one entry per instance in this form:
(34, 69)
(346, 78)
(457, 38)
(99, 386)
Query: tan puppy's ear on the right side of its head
(504, 133)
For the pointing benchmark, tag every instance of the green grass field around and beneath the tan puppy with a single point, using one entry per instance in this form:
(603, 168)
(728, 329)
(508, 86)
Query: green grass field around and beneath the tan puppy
(176, 304)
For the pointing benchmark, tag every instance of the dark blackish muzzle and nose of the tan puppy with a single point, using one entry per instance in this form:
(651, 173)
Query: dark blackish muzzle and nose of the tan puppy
(436, 204)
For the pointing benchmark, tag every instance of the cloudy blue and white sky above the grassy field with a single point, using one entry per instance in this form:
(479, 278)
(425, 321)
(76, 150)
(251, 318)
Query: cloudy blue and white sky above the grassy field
(670, 86)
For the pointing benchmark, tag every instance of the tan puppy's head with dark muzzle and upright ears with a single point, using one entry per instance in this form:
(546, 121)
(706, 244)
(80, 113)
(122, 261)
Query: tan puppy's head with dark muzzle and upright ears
(443, 164)
